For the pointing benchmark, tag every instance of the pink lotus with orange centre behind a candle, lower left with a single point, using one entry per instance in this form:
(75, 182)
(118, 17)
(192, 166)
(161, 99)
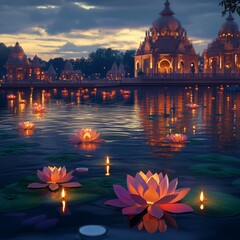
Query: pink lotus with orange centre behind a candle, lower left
(53, 177)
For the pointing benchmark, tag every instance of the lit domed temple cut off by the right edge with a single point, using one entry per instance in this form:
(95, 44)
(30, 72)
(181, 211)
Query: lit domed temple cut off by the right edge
(223, 54)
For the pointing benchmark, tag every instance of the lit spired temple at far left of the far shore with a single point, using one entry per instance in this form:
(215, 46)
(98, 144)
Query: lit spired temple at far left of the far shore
(19, 68)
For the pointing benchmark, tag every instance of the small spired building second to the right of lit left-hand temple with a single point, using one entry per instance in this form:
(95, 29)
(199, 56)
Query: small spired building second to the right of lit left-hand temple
(68, 74)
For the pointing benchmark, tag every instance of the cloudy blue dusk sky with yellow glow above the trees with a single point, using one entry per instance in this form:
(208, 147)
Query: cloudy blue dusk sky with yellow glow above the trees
(72, 29)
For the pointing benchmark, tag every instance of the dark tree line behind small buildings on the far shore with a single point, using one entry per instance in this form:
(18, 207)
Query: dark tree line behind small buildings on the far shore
(98, 62)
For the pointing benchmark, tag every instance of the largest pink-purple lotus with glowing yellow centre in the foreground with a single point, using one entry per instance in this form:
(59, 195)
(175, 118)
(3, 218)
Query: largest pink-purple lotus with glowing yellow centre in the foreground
(152, 192)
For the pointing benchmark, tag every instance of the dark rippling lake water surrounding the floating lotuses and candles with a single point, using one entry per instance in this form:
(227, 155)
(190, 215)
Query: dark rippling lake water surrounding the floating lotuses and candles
(134, 124)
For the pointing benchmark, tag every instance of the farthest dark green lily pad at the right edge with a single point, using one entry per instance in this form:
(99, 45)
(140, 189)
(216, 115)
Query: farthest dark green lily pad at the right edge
(216, 158)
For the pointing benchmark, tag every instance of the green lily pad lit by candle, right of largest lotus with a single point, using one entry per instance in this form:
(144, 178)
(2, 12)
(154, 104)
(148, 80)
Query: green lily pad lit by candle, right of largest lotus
(216, 204)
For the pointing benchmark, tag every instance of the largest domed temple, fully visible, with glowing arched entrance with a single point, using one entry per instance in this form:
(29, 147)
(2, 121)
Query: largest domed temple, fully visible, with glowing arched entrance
(166, 48)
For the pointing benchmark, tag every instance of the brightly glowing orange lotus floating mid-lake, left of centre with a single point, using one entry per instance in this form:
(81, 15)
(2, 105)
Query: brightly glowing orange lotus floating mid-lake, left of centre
(85, 135)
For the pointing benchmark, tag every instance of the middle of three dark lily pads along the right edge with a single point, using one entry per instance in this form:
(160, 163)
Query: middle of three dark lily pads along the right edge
(217, 170)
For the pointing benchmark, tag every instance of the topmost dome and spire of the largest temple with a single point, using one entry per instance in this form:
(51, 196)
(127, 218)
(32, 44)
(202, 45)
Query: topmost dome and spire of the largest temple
(167, 23)
